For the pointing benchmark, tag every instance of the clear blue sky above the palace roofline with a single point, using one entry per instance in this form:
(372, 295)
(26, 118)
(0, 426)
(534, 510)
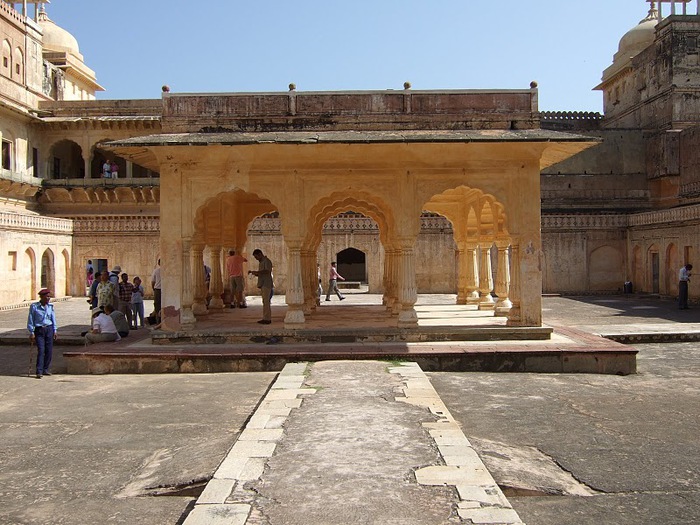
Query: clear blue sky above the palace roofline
(136, 46)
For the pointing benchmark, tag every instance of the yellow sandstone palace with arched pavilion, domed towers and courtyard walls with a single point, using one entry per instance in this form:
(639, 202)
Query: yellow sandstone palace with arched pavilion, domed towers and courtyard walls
(625, 209)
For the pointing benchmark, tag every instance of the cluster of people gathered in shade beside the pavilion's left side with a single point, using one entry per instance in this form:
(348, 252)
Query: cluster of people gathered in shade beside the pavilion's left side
(112, 296)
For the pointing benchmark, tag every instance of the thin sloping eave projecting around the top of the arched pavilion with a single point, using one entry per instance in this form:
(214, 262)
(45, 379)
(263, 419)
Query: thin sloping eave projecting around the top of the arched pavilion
(555, 146)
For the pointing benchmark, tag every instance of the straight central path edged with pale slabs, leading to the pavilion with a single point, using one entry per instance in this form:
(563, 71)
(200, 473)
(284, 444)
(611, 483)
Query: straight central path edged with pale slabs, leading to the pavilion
(258, 481)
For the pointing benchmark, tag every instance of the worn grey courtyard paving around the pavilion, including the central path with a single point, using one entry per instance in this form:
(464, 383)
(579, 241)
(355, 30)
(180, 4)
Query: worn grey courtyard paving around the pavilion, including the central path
(354, 442)
